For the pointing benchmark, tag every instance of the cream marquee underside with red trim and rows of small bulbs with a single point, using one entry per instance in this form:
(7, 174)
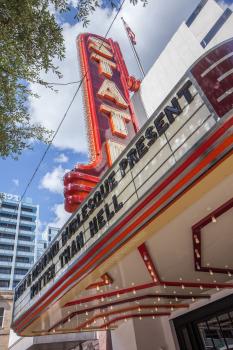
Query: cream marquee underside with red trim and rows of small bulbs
(154, 274)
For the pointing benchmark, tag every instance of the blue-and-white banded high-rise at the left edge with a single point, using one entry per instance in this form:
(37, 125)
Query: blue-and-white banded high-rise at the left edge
(18, 229)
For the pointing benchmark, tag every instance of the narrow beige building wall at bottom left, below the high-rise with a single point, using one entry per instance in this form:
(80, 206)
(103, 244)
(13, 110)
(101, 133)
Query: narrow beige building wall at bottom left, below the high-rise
(6, 301)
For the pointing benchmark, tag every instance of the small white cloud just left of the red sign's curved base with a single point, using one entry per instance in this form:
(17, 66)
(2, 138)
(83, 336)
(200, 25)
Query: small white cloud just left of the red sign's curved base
(53, 181)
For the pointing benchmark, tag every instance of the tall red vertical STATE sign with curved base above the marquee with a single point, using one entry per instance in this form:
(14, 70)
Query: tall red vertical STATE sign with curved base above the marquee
(111, 122)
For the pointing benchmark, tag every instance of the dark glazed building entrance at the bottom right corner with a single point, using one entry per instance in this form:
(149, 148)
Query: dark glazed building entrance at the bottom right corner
(208, 328)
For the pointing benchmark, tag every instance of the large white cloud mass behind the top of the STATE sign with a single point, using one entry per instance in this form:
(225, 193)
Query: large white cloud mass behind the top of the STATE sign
(153, 26)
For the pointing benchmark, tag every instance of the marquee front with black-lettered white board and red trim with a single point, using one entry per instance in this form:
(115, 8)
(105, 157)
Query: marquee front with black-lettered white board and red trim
(166, 139)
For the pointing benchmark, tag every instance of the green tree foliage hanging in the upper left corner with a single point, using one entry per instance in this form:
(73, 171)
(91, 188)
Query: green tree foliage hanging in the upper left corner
(30, 39)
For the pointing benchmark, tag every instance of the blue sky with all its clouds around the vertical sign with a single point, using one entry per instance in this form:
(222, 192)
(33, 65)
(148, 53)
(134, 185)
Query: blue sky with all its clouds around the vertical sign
(153, 27)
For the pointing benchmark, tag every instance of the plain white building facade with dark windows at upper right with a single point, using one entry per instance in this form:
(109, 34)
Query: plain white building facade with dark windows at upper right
(207, 26)
